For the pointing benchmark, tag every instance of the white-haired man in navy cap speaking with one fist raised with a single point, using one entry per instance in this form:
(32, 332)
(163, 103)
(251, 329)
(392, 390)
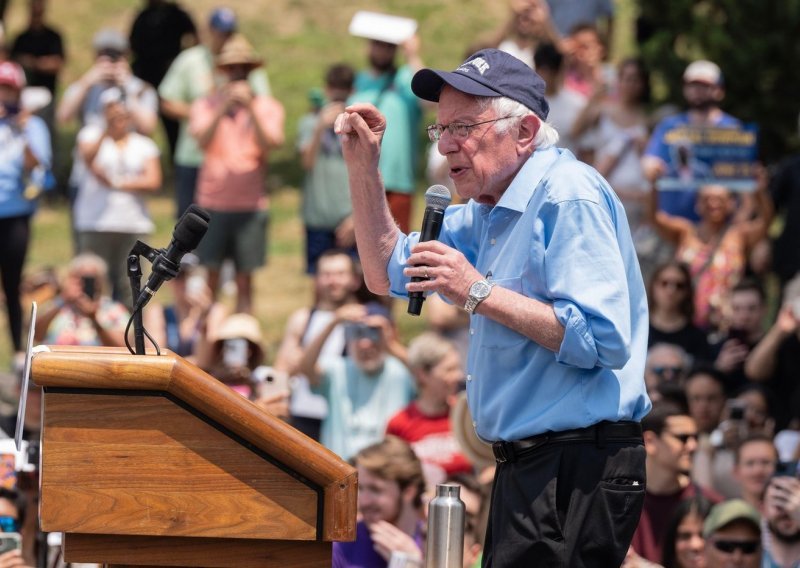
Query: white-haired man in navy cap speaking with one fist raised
(541, 256)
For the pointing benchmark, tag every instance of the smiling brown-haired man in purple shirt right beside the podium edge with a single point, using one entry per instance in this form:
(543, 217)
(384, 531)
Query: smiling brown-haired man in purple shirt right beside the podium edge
(390, 488)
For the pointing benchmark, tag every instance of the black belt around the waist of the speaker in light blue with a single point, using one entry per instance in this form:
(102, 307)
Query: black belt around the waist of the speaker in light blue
(599, 433)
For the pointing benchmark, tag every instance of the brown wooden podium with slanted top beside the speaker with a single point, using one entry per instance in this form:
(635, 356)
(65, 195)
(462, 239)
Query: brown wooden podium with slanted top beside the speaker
(149, 461)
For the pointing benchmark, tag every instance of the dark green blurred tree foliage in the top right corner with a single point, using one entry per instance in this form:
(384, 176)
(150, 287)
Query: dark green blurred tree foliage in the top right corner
(755, 42)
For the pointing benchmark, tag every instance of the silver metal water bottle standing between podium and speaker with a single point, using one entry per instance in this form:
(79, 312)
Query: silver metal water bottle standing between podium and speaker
(445, 548)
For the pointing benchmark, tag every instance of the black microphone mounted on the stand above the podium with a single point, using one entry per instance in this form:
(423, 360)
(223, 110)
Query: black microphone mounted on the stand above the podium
(188, 232)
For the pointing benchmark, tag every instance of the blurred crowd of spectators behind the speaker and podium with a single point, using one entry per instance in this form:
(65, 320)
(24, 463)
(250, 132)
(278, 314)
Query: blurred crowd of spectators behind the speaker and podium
(721, 265)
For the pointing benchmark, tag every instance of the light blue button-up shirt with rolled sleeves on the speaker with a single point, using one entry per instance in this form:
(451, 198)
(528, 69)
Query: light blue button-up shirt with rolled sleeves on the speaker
(558, 234)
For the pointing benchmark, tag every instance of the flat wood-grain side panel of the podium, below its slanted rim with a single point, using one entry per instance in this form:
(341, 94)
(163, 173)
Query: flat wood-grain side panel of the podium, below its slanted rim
(143, 465)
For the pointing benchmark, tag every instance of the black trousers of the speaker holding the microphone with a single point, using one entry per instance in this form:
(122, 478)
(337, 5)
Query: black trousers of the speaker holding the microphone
(566, 504)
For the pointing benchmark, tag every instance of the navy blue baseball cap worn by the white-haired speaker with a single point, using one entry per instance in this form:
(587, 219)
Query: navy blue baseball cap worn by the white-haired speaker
(487, 73)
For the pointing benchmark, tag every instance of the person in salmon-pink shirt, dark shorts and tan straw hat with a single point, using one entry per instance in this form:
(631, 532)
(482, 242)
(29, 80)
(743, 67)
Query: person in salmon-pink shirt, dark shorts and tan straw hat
(236, 129)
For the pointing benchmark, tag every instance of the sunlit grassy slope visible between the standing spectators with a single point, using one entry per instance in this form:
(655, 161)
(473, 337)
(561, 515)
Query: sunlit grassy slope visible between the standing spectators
(299, 39)
